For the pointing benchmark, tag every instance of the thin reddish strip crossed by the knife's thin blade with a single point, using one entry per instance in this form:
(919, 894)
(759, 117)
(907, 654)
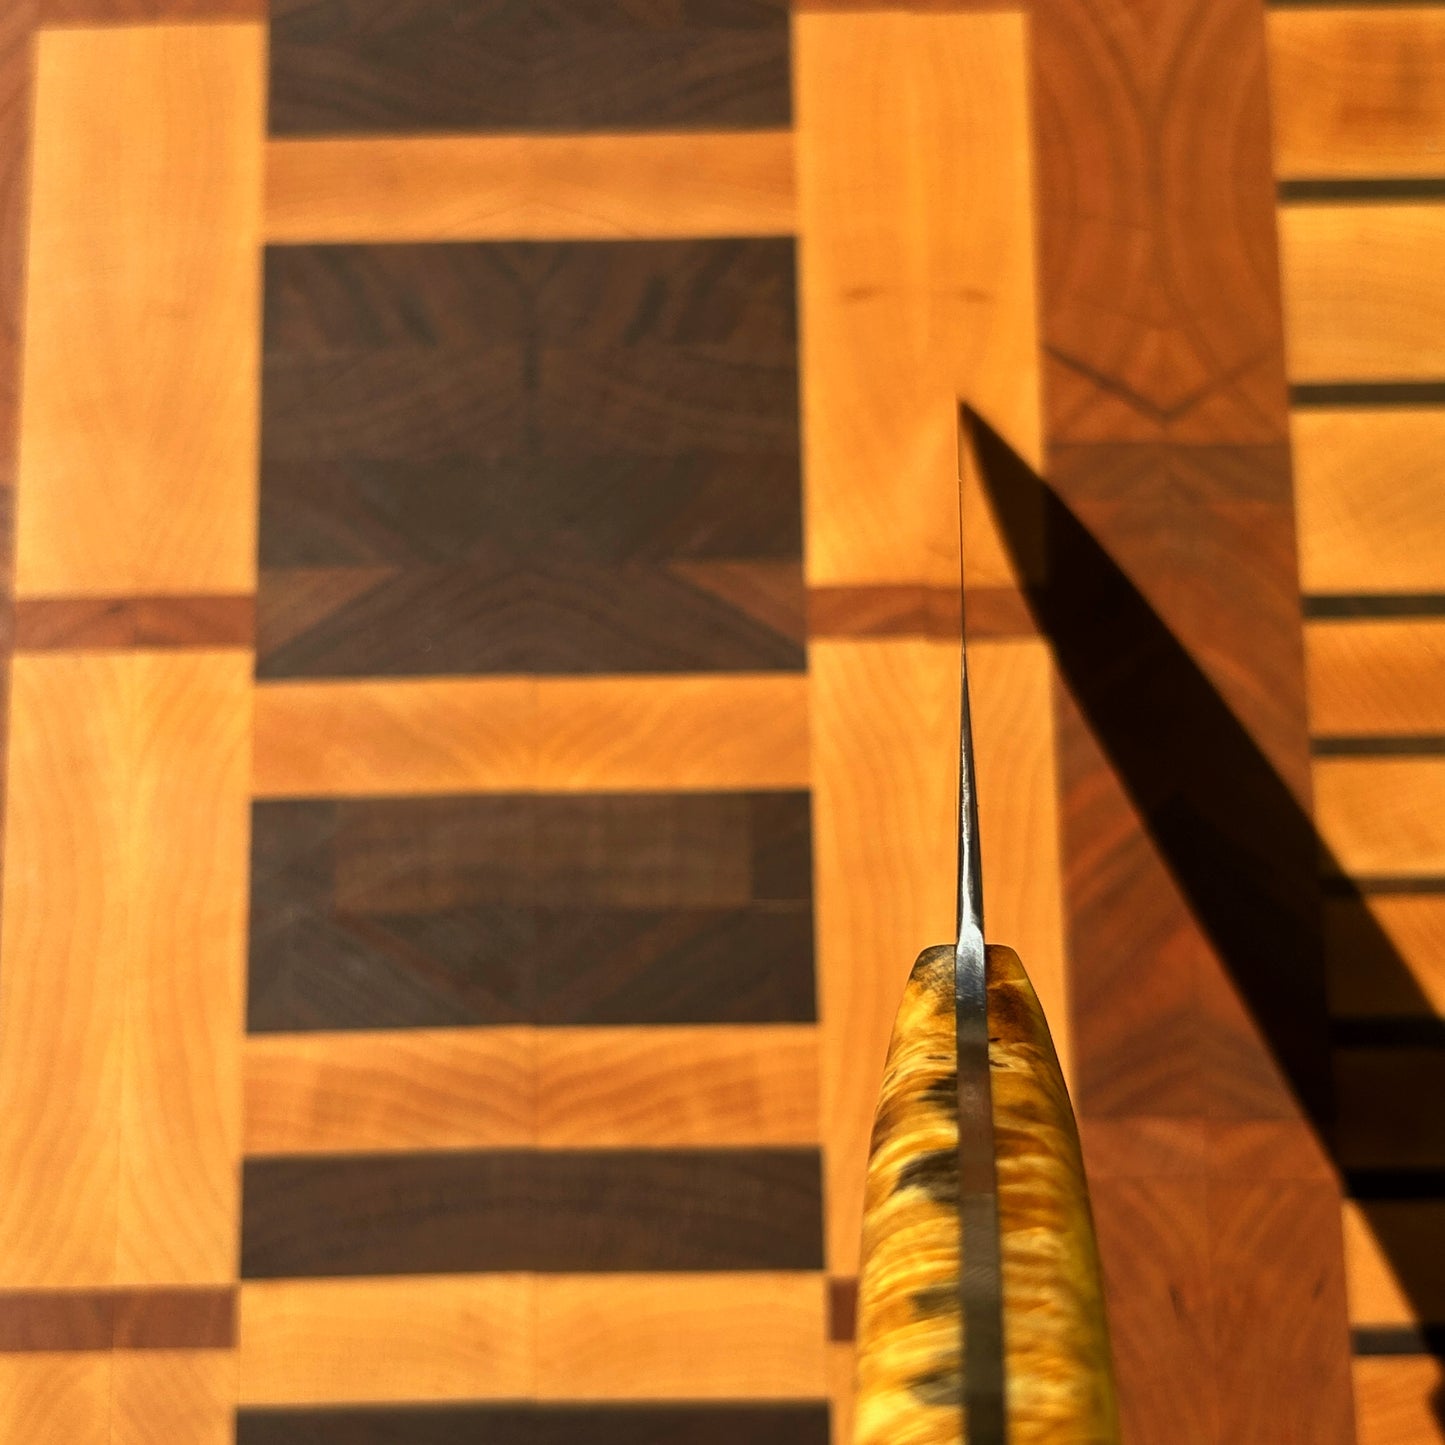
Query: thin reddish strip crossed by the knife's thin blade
(905, 611)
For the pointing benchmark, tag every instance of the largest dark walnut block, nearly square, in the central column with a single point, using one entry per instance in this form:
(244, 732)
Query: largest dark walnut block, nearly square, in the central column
(558, 459)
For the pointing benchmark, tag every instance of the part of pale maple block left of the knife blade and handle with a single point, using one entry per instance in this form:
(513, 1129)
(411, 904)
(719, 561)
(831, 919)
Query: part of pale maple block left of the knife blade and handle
(885, 728)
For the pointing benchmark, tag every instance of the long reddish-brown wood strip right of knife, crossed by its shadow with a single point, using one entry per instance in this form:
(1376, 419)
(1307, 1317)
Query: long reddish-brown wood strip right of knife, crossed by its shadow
(1167, 434)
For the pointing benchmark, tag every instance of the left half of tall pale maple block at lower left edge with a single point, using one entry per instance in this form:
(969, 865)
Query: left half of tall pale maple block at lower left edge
(63, 969)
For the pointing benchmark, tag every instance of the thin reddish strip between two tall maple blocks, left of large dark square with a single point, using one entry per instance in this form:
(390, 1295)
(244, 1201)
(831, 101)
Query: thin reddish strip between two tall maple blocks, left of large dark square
(74, 624)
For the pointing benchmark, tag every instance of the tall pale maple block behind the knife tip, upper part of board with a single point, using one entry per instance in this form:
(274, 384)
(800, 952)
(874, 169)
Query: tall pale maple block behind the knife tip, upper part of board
(917, 282)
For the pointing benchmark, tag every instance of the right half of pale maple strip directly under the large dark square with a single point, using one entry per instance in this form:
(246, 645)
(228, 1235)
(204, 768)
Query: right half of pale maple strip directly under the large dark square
(622, 735)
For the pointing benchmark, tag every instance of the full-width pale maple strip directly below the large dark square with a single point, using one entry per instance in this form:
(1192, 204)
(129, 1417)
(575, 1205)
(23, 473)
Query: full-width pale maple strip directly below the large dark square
(410, 738)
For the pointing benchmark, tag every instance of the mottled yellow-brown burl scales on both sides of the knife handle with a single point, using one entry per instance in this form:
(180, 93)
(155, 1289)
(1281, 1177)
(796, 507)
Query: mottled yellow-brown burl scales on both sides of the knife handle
(1060, 1386)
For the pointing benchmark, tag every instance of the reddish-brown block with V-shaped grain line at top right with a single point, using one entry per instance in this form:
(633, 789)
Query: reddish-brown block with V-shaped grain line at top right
(1157, 222)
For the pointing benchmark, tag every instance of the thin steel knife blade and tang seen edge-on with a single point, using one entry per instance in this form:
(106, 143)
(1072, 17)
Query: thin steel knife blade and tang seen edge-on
(980, 1280)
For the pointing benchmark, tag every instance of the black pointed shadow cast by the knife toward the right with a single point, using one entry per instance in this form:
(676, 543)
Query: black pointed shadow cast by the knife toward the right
(1239, 845)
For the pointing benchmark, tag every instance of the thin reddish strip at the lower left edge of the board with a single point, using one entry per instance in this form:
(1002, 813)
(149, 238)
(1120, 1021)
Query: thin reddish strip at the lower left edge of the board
(118, 1320)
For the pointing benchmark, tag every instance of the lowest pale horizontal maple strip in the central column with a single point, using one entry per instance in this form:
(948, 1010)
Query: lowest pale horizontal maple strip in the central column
(596, 1337)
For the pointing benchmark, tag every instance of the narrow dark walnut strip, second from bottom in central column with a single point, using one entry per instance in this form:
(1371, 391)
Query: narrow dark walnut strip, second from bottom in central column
(457, 1213)
